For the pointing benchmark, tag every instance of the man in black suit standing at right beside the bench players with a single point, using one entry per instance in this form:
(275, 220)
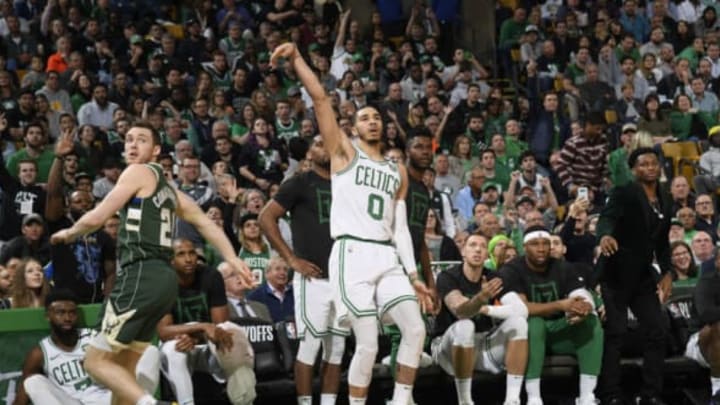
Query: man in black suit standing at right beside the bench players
(632, 230)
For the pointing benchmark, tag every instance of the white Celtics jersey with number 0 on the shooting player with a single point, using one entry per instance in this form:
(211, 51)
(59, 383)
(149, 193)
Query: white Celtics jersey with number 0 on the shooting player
(363, 199)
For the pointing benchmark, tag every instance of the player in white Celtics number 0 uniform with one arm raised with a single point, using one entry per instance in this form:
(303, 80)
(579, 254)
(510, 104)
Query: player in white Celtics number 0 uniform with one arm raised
(369, 224)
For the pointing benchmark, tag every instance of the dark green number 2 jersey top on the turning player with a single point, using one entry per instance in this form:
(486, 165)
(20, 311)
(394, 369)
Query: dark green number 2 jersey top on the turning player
(147, 224)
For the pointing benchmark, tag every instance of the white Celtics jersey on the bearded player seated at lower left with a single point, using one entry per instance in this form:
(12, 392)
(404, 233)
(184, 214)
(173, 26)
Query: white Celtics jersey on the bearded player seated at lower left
(65, 368)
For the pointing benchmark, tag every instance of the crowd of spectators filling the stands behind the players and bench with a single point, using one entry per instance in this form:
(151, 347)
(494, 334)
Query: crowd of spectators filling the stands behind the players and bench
(537, 137)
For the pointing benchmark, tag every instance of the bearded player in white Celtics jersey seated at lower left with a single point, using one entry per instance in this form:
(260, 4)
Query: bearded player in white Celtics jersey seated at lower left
(53, 373)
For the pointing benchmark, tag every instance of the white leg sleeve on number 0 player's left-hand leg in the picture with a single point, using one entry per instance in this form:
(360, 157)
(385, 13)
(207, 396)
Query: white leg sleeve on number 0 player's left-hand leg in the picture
(366, 347)
